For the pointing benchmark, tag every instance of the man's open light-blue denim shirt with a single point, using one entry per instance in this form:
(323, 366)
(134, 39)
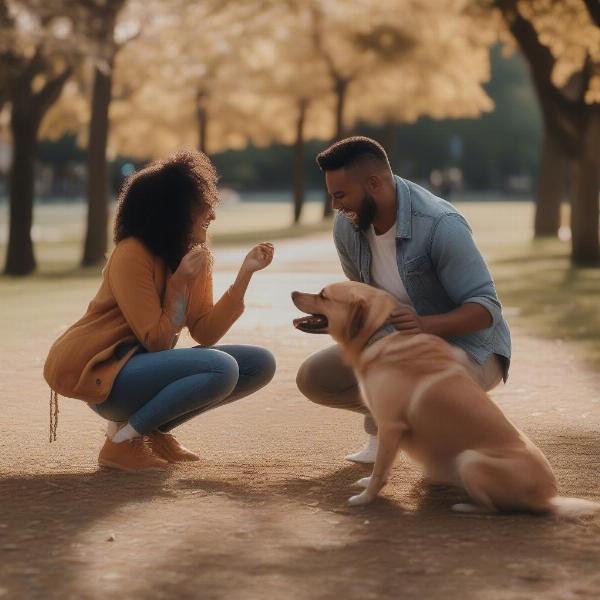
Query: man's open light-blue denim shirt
(439, 264)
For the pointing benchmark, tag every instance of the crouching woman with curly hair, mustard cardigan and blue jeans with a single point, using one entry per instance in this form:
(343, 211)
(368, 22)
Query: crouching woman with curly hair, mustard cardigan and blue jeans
(119, 356)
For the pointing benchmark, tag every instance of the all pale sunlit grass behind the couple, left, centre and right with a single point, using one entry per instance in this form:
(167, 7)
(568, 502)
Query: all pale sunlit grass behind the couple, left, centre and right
(538, 286)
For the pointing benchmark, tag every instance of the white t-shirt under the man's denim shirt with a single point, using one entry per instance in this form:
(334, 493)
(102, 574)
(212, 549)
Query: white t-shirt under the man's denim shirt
(384, 267)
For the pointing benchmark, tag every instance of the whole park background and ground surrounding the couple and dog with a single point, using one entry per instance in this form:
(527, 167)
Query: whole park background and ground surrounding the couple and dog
(492, 104)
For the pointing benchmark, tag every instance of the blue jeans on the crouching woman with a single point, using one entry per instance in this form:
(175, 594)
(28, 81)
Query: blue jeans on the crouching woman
(161, 390)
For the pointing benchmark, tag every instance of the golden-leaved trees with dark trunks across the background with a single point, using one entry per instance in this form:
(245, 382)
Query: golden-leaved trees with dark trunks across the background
(139, 78)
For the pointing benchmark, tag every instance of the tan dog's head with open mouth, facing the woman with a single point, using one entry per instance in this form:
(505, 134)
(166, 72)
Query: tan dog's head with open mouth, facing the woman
(349, 311)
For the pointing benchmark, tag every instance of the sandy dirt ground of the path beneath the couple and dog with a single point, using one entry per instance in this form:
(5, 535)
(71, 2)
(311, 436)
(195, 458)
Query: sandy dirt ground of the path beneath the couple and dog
(262, 515)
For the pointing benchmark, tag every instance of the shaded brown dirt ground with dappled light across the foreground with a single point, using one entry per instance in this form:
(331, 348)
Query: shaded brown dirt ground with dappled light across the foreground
(271, 533)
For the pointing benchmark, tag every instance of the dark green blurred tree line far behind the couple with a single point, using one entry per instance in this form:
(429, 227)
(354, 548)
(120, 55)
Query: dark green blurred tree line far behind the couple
(491, 148)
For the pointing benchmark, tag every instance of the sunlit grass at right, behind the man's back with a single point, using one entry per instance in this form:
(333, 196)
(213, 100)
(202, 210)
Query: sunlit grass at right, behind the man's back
(539, 287)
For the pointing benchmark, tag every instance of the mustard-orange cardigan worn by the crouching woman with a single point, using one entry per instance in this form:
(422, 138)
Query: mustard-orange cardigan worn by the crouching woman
(137, 306)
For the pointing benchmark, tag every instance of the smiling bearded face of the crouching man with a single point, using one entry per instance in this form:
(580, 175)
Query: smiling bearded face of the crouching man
(349, 196)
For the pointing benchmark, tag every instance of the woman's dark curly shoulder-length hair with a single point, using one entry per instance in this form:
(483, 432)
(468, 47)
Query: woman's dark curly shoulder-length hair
(158, 204)
